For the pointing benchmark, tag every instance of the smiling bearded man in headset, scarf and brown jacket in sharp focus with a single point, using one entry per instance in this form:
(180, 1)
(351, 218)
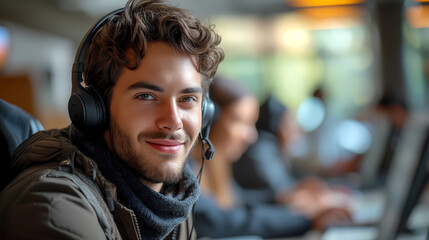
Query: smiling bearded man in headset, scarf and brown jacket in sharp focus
(123, 174)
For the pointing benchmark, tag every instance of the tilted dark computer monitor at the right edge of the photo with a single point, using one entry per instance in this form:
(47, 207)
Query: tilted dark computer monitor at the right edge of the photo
(407, 177)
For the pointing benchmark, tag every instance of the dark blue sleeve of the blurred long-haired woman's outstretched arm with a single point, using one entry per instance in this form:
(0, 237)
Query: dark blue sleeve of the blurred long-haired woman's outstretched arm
(267, 221)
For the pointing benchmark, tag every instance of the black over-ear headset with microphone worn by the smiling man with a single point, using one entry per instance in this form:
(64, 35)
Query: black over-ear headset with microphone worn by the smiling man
(86, 106)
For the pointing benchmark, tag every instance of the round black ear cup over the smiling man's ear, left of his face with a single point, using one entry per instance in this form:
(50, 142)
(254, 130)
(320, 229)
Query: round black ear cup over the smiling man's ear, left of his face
(87, 109)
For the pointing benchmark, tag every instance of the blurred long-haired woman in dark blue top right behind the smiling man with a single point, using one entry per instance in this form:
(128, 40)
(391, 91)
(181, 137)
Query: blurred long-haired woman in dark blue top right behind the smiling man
(223, 210)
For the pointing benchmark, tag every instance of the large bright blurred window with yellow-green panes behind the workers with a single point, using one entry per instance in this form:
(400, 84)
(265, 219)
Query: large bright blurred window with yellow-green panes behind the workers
(293, 53)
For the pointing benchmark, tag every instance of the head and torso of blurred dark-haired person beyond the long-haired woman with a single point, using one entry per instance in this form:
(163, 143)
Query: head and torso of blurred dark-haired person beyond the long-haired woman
(263, 165)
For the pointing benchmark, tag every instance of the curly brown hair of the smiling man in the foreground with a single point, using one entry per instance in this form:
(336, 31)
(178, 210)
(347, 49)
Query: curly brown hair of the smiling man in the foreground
(142, 22)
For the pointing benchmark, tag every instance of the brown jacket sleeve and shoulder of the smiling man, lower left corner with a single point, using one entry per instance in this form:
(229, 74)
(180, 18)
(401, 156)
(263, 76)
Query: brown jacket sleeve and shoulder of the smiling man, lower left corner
(35, 206)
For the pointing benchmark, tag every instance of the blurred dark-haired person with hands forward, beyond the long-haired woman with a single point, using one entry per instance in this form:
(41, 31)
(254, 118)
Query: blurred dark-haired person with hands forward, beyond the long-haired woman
(264, 166)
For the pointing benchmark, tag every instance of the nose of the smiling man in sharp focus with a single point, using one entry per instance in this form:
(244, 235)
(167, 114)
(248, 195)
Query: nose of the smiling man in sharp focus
(169, 118)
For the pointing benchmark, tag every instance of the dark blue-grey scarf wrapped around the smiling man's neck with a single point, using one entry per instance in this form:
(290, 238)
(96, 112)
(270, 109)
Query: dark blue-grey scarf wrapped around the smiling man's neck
(157, 213)
